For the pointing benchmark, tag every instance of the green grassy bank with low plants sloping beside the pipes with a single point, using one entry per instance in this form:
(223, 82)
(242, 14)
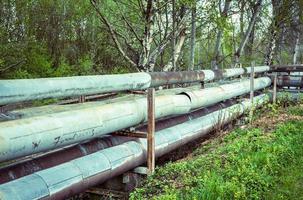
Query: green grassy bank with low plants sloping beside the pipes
(259, 161)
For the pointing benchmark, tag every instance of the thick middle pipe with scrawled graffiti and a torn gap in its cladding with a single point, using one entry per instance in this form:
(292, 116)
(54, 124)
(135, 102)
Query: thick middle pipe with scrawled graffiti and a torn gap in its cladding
(42, 133)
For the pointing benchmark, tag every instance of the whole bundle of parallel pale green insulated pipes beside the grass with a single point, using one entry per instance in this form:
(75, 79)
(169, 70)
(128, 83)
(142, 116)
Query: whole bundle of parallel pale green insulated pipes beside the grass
(47, 132)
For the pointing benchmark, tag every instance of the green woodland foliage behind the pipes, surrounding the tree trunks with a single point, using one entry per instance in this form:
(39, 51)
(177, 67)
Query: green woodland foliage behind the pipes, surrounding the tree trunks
(63, 38)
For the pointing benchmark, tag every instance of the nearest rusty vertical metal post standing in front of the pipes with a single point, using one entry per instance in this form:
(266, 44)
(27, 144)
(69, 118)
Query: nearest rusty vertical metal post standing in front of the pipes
(151, 130)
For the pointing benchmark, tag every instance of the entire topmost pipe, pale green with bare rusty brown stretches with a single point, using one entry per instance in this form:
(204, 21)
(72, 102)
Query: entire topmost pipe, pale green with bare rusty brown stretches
(17, 90)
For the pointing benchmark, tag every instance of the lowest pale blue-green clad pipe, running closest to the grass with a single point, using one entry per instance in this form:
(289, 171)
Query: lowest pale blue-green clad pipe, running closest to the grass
(79, 174)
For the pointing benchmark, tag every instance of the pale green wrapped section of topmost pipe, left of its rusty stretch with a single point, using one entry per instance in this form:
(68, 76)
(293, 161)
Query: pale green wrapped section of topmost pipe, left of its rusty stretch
(17, 90)
